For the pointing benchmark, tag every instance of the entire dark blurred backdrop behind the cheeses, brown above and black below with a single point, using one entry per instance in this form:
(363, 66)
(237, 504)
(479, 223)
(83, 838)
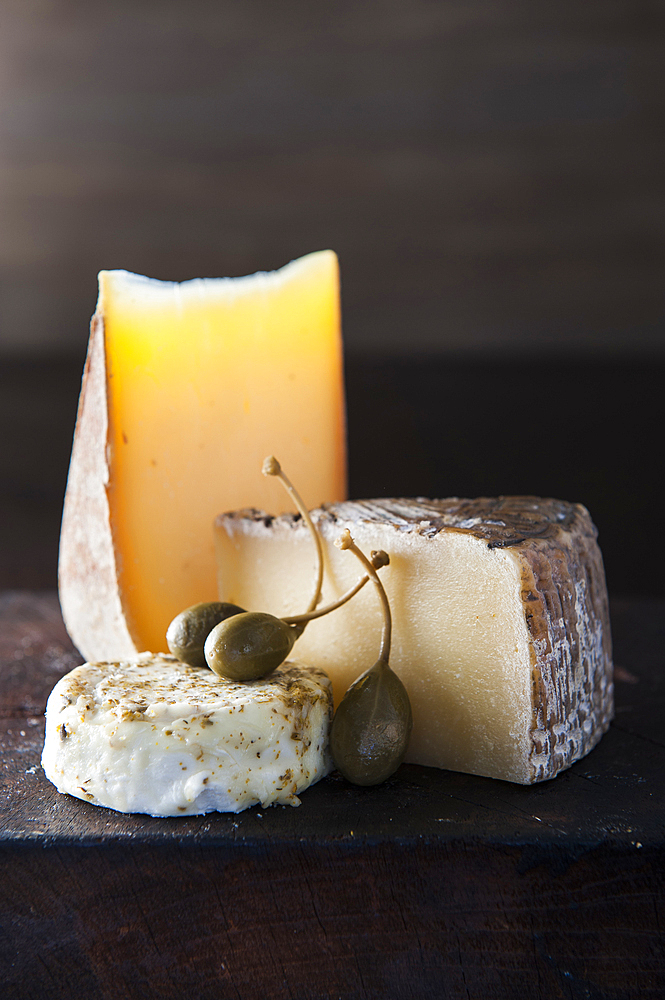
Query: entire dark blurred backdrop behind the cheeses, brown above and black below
(490, 174)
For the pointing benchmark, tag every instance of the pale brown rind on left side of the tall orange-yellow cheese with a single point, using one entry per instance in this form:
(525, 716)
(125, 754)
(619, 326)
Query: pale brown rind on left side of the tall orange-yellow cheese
(87, 569)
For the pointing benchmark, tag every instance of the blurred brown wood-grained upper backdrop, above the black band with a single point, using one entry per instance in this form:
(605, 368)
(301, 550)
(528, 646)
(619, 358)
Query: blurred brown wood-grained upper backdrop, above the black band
(491, 175)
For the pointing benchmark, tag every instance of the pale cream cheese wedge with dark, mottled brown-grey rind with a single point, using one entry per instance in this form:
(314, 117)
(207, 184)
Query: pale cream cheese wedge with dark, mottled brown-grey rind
(500, 620)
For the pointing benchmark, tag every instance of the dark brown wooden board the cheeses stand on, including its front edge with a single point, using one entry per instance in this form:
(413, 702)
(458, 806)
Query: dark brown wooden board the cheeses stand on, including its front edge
(433, 885)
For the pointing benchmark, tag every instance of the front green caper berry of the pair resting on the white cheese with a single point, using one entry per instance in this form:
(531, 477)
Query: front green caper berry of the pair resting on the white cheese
(249, 646)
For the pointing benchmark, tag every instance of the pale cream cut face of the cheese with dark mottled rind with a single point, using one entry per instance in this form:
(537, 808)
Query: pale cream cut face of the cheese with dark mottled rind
(460, 642)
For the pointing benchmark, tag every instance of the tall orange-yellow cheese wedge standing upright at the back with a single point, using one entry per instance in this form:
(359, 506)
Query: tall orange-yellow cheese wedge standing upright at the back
(187, 388)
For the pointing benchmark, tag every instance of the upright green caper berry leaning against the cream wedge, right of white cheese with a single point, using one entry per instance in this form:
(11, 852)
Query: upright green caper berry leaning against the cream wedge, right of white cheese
(371, 727)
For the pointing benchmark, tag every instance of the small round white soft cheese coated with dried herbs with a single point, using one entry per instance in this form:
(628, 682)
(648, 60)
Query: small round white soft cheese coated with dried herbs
(155, 736)
